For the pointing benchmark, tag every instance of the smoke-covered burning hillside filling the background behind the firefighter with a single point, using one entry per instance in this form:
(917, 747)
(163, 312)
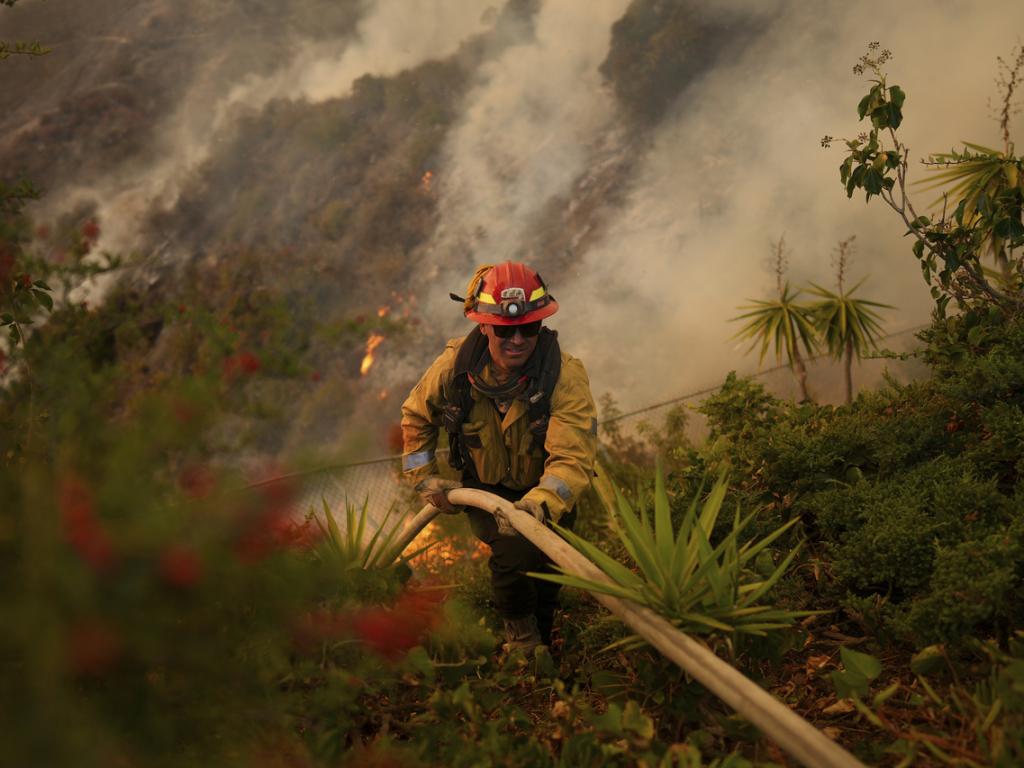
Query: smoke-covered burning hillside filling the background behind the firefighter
(355, 157)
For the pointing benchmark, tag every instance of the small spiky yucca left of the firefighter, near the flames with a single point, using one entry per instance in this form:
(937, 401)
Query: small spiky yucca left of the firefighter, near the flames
(349, 550)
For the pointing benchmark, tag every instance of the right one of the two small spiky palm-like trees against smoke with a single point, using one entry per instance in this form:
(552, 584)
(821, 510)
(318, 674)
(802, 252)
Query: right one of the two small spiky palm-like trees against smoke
(848, 327)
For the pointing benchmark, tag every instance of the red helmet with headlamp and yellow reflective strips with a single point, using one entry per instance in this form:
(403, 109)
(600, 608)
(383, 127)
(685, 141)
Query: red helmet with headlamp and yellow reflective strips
(509, 294)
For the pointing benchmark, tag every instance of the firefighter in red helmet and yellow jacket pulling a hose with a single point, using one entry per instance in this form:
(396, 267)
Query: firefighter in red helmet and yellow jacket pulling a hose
(521, 422)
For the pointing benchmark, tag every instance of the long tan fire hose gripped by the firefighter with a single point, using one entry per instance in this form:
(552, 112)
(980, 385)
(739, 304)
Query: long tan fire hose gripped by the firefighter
(783, 726)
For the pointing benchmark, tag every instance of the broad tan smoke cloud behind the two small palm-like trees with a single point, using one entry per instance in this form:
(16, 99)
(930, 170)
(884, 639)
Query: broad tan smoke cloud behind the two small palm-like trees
(739, 164)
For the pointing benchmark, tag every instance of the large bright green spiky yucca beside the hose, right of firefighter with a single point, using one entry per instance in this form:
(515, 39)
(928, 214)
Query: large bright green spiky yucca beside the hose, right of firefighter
(701, 588)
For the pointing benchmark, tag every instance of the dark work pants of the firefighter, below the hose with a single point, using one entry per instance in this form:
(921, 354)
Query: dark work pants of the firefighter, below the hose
(518, 595)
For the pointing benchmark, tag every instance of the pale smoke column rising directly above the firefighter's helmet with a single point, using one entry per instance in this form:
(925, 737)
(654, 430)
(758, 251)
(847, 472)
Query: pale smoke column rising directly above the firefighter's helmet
(530, 127)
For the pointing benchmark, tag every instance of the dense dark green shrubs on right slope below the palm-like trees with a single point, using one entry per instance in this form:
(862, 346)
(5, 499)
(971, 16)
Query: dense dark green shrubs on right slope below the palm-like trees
(912, 495)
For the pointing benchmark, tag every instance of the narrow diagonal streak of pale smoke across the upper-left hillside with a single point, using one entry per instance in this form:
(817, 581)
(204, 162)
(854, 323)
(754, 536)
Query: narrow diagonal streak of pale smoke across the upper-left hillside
(393, 36)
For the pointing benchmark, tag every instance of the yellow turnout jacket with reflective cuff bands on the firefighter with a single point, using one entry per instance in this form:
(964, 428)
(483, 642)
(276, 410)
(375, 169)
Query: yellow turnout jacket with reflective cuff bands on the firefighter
(506, 455)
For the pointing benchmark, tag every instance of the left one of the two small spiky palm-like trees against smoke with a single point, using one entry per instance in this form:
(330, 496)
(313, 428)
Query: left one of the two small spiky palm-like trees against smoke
(786, 325)
